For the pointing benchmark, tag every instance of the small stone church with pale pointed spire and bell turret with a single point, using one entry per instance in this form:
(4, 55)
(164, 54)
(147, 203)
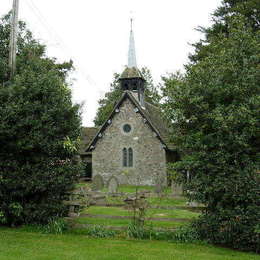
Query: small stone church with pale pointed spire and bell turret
(133, 143)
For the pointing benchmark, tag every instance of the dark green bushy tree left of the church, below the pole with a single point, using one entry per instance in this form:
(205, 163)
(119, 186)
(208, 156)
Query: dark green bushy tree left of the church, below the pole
(38, 133)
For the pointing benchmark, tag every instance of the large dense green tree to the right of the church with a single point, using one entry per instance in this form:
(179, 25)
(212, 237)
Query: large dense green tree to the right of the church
(214, 110)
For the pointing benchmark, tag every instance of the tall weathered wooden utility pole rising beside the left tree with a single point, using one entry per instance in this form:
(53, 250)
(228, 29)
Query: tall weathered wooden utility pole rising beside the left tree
(13, 38)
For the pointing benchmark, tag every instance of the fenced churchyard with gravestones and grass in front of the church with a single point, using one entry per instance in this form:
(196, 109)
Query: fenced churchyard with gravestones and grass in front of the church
(117, 206)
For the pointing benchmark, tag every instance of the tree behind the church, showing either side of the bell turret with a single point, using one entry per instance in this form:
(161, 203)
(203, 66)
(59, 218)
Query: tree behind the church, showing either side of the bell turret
(107, 103)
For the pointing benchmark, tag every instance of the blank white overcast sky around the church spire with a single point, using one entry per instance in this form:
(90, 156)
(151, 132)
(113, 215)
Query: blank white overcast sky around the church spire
(95, 35)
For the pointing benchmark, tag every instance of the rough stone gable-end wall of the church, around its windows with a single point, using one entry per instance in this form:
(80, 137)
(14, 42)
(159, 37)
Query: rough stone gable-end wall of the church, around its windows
(149, 158)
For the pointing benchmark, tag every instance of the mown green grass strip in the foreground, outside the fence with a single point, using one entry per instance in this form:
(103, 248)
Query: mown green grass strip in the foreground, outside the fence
(16, 244)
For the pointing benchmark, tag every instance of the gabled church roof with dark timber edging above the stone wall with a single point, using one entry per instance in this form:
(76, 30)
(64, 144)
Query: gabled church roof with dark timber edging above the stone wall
(151, 113)
